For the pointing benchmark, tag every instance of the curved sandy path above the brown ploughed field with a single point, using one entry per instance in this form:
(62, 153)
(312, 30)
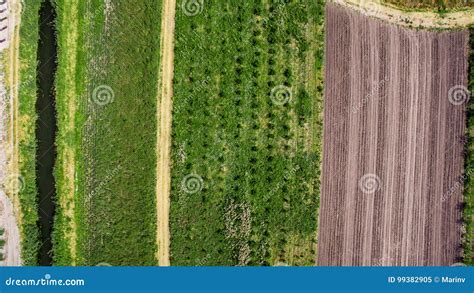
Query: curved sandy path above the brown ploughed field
(416, 19)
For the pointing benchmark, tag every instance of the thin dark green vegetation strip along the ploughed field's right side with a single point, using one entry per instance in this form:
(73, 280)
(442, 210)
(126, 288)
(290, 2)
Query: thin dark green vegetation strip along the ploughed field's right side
(468, 215)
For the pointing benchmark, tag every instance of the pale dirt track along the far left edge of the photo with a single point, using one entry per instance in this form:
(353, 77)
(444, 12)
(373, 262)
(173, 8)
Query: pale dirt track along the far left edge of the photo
(10, 217)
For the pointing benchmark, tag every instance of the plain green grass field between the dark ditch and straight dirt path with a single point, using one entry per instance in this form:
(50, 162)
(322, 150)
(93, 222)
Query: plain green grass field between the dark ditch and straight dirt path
(114, 136)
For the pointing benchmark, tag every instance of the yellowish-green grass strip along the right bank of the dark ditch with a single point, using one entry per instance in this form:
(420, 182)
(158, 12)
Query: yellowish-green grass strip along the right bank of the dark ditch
(65, 231)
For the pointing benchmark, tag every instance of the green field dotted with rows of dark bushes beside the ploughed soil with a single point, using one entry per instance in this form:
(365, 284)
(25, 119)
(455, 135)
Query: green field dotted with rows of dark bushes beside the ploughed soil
(259, 160)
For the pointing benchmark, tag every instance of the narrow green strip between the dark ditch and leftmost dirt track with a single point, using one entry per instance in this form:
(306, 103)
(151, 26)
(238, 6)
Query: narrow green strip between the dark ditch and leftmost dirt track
(27, 124)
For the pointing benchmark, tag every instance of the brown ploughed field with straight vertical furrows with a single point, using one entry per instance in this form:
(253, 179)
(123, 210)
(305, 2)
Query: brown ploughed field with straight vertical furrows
(393, 143)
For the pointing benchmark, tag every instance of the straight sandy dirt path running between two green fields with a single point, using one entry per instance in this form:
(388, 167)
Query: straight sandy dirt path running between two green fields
(164, 111)
